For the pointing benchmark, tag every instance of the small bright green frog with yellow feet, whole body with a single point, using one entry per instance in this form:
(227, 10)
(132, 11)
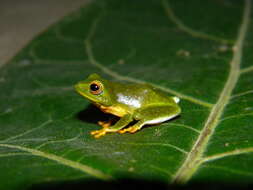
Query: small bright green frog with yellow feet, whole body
(131, 102)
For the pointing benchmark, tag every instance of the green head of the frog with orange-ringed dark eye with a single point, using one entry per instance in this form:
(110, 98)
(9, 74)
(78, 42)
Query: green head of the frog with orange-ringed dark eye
(95, 89)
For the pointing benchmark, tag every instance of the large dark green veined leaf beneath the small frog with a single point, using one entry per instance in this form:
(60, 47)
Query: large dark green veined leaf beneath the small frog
(198, 50)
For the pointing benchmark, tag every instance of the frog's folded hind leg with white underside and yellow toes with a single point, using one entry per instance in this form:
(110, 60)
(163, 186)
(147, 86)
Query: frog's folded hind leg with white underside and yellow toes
(152, 115)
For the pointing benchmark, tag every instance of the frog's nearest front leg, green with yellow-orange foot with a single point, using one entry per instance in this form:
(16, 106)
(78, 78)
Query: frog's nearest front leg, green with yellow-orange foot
(124, 121)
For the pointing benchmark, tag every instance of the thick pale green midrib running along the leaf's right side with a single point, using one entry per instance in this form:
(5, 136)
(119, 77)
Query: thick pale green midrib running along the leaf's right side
(193, 160)
